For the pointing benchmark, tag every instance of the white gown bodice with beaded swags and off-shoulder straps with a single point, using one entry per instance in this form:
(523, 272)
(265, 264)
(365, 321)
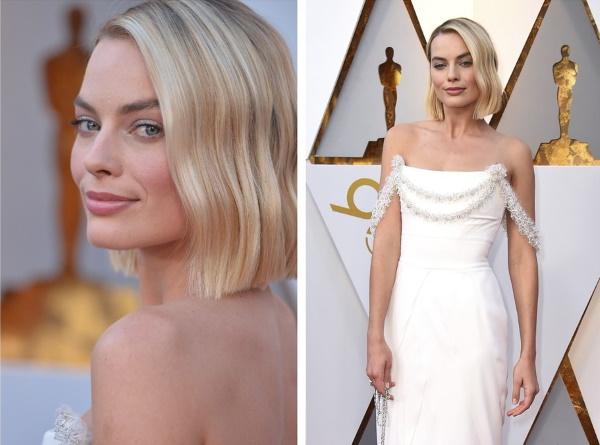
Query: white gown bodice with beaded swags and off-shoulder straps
(451, 218)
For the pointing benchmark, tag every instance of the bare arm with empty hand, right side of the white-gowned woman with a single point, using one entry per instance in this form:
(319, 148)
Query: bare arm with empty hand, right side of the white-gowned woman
(523, 270)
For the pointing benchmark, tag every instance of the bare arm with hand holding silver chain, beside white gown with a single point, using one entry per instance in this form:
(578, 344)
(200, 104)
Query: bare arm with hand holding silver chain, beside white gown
(384, 262)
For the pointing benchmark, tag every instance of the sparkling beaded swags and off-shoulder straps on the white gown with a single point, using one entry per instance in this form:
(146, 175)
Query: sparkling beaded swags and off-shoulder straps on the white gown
(472, 199)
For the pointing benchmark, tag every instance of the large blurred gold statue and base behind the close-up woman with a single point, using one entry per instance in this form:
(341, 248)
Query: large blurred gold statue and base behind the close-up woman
(59, 319)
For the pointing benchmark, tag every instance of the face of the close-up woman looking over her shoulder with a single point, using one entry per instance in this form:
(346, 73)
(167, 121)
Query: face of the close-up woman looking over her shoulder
(119, 159)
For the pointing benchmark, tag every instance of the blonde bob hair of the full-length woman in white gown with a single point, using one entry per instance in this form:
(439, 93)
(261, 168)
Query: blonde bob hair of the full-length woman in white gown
(485, 65)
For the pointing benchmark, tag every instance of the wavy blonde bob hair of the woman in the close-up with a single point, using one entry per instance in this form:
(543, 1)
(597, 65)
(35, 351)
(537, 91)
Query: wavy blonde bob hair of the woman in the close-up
(226, 87)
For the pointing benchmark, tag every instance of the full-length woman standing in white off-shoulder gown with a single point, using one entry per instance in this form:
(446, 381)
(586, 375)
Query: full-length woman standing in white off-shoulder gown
(437, 333)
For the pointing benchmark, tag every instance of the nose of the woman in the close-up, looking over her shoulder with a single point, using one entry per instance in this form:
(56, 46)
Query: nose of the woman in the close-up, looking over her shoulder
(102, 158)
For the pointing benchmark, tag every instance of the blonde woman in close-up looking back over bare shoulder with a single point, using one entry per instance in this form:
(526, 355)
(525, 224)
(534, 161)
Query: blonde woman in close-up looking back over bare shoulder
(186, 162)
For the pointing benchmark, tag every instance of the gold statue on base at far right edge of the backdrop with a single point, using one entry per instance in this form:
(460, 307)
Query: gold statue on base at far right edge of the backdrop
(564, 150)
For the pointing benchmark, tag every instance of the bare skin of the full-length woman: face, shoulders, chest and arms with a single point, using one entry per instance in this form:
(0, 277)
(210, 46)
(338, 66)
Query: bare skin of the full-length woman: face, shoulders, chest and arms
(457, 143)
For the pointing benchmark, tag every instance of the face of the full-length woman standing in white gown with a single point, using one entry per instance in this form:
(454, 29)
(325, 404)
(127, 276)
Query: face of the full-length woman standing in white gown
(452, 72)
